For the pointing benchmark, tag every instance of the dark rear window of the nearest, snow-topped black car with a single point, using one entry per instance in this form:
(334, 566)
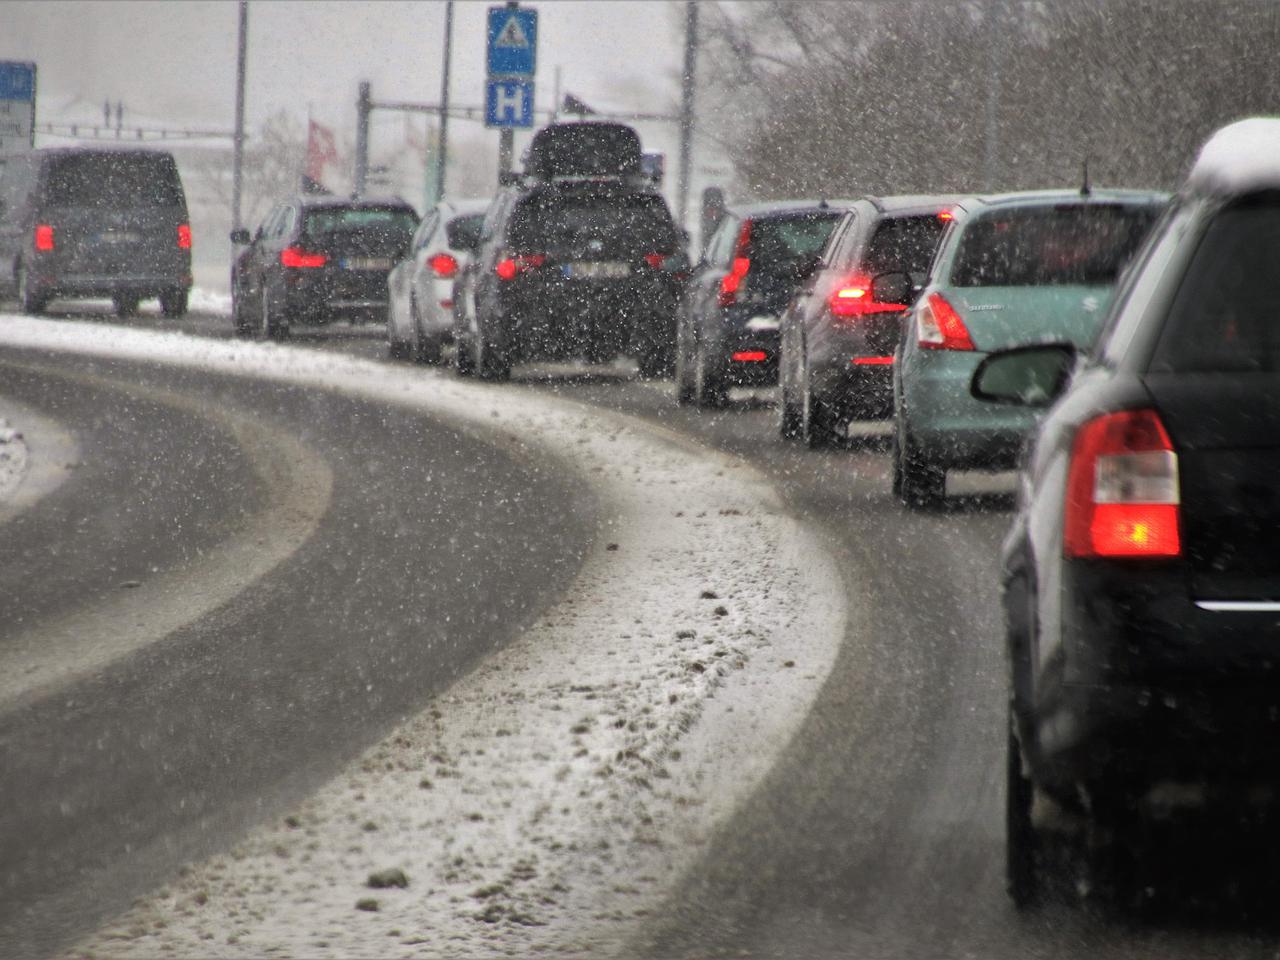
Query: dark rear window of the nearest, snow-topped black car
(1224, 318)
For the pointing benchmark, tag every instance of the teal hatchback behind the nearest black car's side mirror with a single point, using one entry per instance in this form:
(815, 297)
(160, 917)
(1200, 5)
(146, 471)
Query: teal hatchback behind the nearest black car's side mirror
(1013, 269)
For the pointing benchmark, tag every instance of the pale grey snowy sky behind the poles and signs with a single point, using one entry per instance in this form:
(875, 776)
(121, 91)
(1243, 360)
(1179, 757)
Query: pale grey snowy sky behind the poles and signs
(176, 62)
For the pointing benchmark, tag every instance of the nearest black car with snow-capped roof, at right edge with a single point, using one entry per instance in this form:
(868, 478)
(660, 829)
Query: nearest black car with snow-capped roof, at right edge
(1142, 573)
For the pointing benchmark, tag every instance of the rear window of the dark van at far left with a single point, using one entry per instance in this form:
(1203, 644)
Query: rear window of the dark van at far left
(113, 181)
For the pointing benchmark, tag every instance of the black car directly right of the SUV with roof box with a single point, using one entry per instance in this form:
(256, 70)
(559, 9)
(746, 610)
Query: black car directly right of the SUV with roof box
(729, 319)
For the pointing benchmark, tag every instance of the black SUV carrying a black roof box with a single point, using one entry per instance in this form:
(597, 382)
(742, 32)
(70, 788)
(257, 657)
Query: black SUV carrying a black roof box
(578, 259)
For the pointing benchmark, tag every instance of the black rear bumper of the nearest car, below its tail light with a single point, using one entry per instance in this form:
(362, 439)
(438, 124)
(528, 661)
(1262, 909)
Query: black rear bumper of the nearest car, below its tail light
(1155, 685)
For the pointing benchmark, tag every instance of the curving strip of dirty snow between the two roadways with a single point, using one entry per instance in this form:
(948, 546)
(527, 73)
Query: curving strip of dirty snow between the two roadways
(550, 801)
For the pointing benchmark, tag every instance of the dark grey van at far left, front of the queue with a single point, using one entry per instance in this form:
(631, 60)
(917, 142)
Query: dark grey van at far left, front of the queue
(95, 222)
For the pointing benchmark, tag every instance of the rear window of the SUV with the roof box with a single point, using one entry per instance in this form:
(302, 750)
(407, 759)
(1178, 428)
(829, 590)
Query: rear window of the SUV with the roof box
(634, 225)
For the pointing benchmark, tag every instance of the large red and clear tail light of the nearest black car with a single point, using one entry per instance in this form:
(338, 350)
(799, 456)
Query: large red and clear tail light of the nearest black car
(1122, 490)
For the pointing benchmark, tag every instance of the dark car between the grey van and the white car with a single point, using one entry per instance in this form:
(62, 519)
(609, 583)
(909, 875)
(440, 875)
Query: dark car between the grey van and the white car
(316, 260)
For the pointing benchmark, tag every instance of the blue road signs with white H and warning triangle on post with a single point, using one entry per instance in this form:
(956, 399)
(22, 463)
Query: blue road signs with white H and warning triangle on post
(511, 57)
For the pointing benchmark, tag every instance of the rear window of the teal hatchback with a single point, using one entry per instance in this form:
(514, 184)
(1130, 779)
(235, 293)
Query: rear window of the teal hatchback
(1069, 244)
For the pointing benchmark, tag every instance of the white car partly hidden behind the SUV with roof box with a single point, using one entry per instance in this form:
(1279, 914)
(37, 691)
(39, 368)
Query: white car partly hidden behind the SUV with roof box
(420, 307)
